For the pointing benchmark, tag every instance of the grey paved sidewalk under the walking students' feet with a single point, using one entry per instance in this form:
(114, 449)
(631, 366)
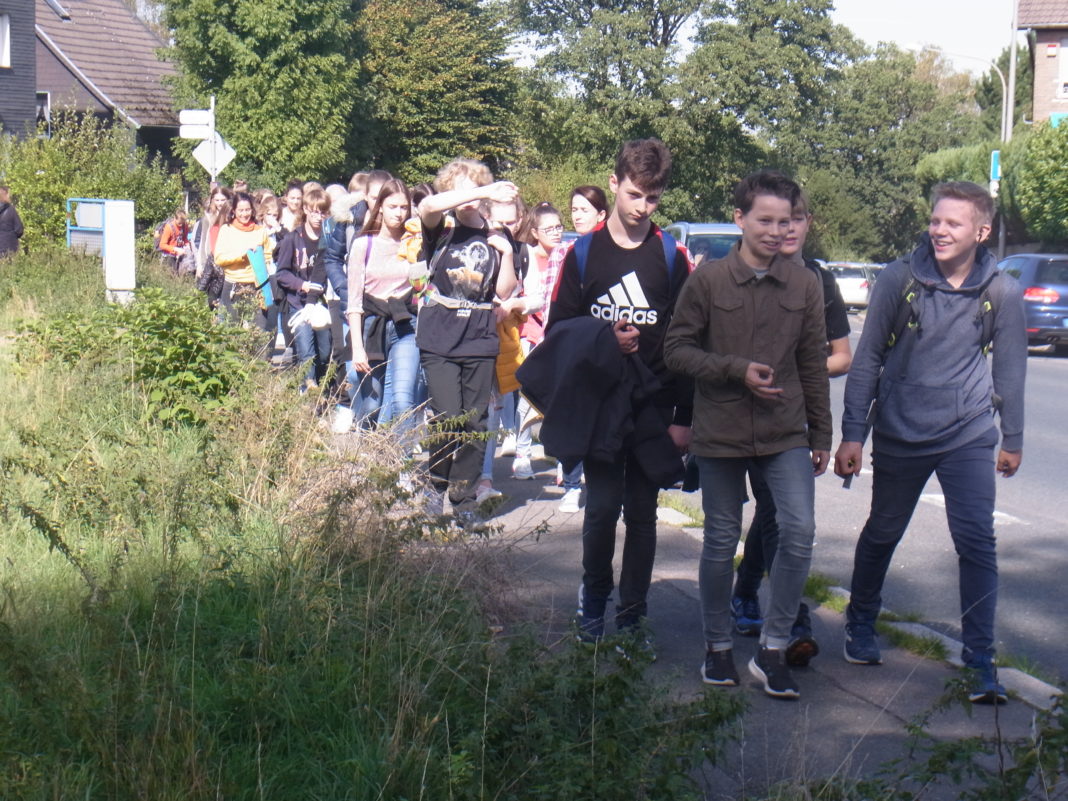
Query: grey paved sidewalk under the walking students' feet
(850, 719)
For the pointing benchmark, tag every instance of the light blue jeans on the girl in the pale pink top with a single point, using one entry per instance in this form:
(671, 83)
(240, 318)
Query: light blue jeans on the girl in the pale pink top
(388, 392)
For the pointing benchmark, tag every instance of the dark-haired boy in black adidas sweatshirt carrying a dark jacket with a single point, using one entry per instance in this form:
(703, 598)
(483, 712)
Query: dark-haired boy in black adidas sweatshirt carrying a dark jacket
(626, 282)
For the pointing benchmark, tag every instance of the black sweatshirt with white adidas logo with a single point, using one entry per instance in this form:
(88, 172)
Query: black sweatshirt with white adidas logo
(633, 285)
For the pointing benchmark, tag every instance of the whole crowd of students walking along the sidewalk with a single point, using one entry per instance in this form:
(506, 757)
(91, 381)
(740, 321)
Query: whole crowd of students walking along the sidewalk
(638, 364)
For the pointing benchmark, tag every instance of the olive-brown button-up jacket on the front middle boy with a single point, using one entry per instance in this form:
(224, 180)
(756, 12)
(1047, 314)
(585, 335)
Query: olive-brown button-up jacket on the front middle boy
(726, 319)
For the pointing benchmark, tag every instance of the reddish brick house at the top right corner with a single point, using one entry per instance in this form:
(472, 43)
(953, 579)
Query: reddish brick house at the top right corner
(1048, 21)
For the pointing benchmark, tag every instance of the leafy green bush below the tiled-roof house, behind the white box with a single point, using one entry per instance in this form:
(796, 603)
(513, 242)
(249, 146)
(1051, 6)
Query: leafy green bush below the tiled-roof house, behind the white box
(85, 158)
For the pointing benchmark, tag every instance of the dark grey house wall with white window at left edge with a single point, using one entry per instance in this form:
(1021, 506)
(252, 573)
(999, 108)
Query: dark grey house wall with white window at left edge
(18, 67)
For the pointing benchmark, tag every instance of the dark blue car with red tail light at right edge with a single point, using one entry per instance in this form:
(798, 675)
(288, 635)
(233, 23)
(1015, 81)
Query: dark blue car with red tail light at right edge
(1045, 281)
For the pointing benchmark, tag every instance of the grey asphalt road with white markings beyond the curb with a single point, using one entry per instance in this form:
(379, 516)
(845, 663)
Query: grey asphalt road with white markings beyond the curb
(1031, 525)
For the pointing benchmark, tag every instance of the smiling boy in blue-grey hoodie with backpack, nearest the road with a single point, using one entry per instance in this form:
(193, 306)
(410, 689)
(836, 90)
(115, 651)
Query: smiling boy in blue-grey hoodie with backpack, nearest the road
(922, 384)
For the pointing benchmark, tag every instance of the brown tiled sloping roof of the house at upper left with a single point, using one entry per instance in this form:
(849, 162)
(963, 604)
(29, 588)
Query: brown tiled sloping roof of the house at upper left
(114, 54)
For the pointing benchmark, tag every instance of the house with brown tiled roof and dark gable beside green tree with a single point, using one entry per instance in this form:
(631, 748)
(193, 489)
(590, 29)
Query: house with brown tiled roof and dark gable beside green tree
(98, 57)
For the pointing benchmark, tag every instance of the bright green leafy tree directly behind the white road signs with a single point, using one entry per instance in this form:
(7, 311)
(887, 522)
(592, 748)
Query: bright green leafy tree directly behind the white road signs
(285, 75)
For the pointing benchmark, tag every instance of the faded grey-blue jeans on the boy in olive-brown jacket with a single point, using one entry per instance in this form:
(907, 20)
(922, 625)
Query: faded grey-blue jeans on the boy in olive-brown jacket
(790, 478)
